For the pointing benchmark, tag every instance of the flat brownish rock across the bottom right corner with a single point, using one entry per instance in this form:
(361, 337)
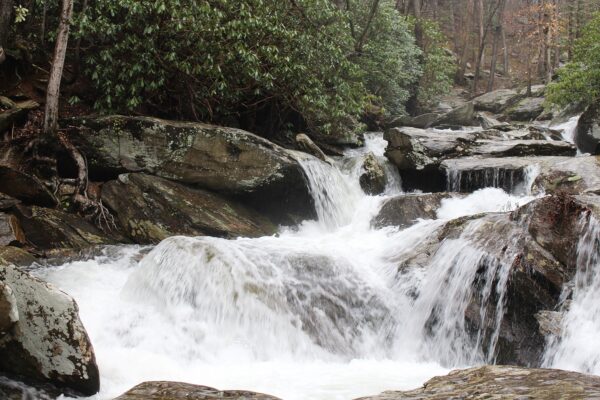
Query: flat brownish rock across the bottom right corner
(502, 382)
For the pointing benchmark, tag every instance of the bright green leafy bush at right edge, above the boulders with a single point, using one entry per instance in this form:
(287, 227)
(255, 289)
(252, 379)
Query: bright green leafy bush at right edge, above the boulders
(579, 80)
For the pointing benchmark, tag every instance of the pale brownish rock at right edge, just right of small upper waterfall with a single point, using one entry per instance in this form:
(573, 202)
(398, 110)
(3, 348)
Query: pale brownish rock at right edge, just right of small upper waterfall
(578, 175)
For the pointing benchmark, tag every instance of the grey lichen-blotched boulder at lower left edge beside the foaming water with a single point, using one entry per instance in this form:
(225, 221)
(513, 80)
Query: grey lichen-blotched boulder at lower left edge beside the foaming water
(44, 341)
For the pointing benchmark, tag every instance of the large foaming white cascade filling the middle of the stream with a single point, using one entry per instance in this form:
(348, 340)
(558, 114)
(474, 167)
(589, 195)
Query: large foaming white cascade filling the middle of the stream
(321, 311)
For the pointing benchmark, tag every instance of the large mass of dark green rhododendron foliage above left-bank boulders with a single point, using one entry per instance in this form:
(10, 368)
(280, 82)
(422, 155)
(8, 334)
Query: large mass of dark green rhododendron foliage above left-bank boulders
(267, 65)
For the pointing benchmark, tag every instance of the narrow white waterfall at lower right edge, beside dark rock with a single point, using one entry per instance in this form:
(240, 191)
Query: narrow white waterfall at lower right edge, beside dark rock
(577, 347)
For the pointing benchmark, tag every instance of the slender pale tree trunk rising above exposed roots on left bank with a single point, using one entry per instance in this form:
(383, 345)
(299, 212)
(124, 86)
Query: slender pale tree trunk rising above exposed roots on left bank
(58, 62)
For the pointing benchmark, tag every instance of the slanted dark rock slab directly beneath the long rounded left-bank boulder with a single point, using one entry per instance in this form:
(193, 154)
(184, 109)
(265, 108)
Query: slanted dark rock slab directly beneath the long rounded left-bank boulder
(151, 209)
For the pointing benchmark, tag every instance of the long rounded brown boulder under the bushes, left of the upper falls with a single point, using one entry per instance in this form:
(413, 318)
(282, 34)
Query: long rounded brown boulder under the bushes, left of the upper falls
(225, 160)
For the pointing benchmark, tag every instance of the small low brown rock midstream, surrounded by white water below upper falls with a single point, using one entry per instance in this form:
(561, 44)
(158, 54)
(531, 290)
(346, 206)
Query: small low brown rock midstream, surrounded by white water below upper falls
(404, 210)
